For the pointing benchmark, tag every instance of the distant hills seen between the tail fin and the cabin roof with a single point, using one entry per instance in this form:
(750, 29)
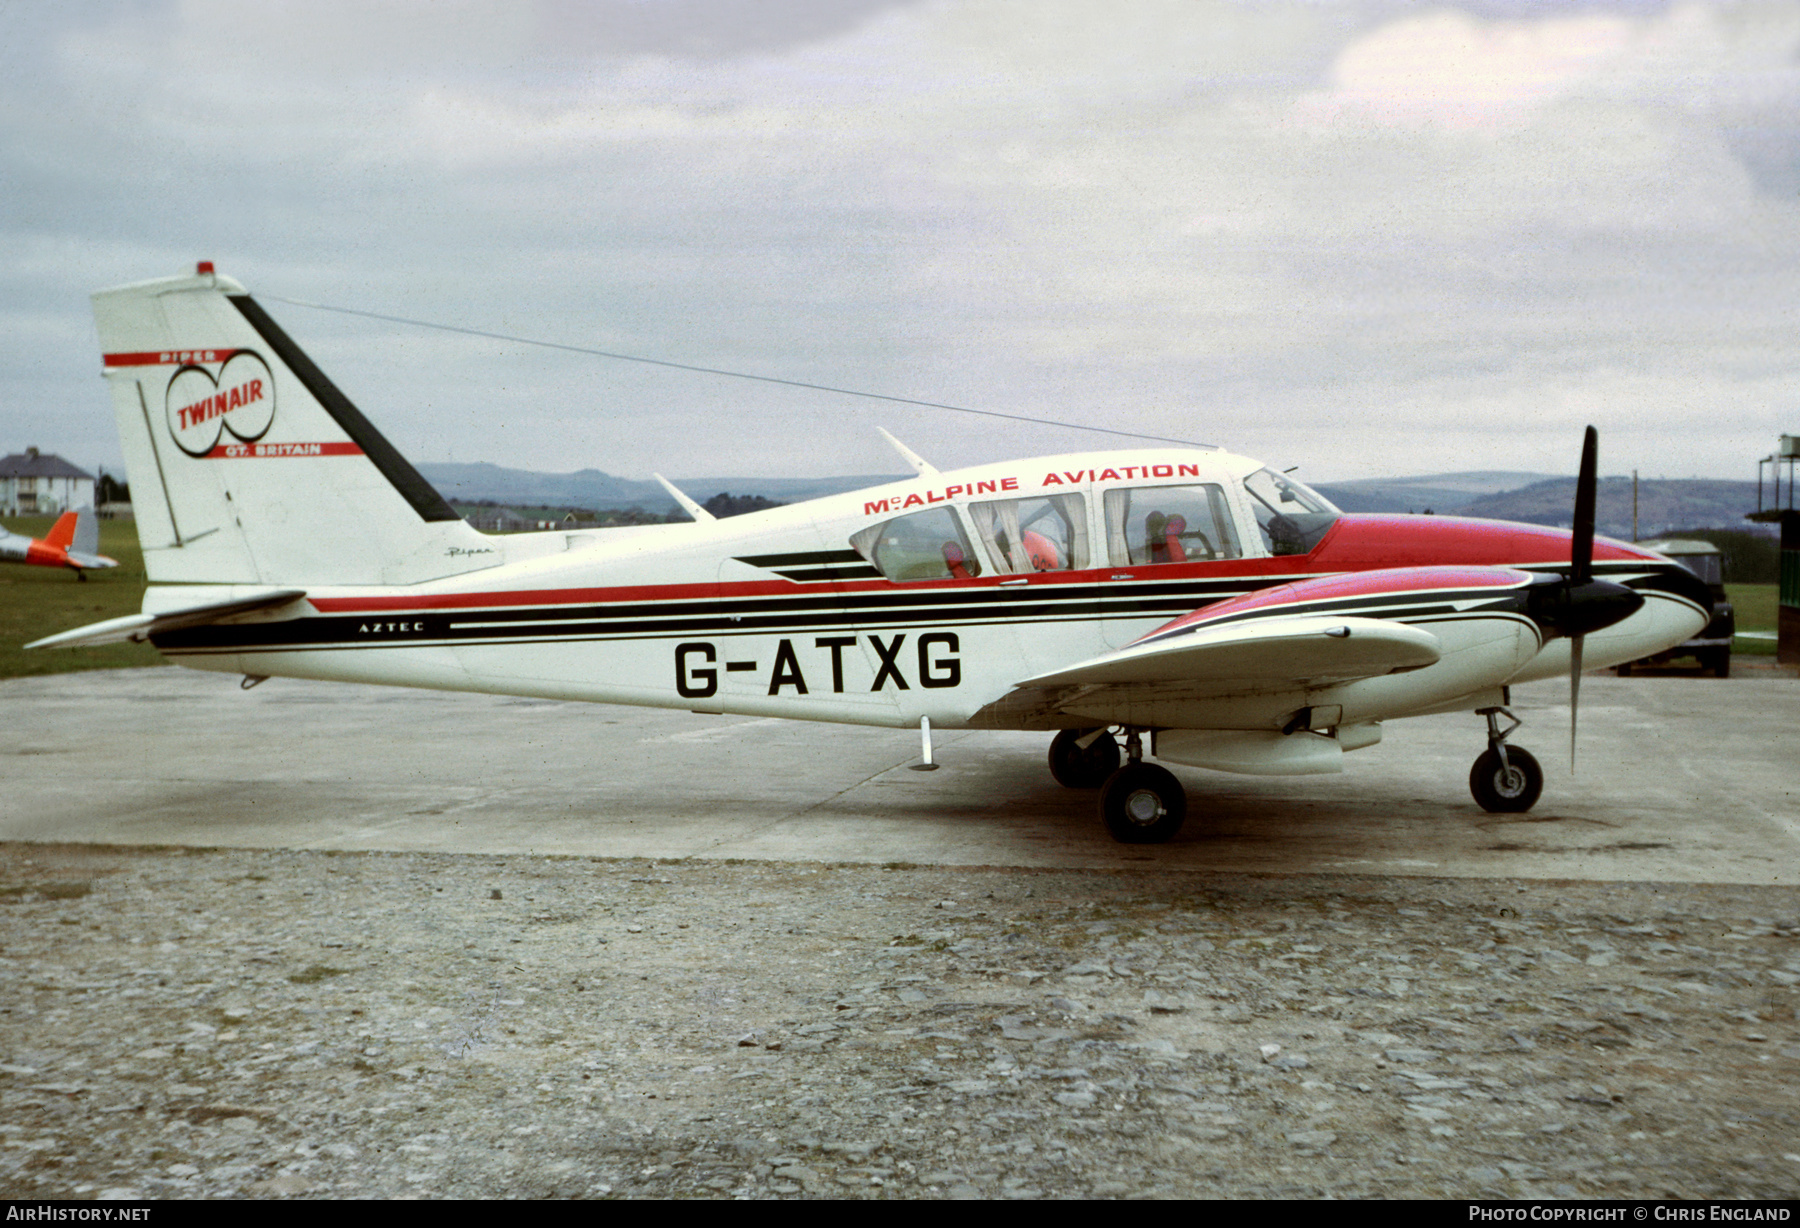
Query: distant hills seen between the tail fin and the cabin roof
(593, 489)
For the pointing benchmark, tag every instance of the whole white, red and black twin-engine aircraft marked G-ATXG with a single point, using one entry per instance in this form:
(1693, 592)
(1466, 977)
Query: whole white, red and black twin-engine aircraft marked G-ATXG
(1192, 602)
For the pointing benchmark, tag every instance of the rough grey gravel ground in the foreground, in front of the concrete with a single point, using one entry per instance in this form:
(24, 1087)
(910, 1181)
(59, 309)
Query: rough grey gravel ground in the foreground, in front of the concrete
(328, 1025)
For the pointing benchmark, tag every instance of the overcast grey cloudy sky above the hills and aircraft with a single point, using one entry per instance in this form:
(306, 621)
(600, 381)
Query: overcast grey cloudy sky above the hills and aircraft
(1365, 239)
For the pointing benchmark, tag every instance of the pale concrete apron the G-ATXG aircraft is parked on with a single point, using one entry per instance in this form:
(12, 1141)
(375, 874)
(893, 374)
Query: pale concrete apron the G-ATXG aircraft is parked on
(1682, 781)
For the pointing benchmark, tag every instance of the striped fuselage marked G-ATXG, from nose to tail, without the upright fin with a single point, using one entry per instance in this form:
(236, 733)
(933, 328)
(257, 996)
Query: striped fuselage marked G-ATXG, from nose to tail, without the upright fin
(926, 599)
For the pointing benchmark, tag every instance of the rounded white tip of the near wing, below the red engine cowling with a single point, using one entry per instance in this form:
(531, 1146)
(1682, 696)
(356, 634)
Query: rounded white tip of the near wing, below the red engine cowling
(1275, 653)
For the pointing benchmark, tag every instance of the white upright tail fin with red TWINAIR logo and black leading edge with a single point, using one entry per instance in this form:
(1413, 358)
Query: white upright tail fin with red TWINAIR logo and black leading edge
(247, 464)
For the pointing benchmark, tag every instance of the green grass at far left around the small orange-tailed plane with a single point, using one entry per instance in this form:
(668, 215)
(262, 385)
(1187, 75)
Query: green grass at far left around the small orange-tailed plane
(39, 602)
